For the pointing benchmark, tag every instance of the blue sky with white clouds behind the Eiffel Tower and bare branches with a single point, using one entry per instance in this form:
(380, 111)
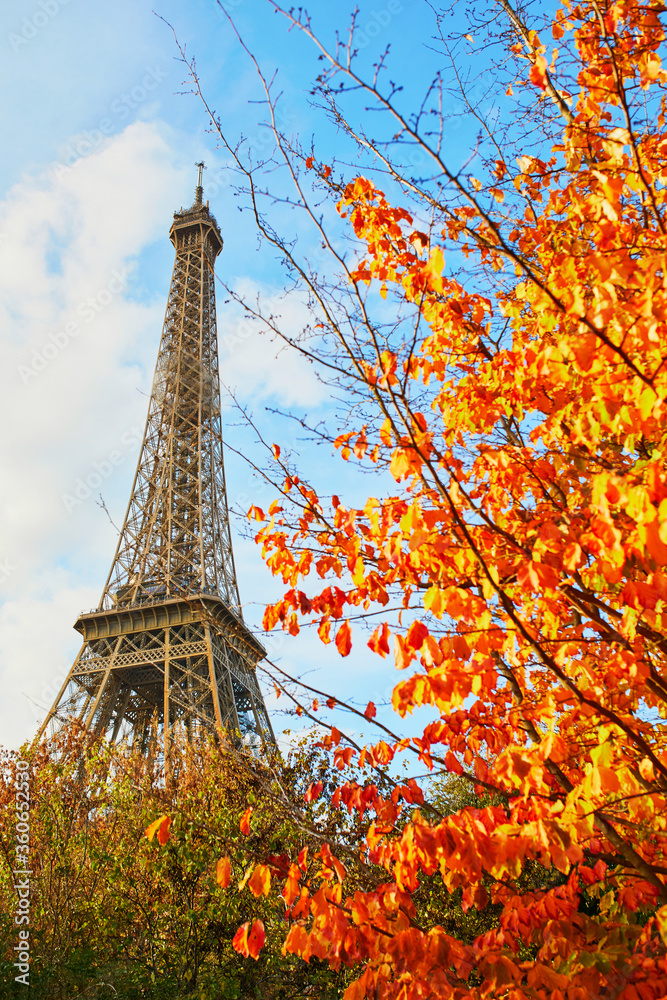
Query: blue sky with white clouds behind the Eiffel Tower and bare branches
(100, 146)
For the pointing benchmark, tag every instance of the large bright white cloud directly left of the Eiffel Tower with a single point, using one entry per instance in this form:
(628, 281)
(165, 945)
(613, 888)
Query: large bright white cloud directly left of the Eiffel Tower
(75, 349)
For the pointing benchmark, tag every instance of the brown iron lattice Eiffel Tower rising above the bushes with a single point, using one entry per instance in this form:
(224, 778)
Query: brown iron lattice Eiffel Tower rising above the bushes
(167, 646)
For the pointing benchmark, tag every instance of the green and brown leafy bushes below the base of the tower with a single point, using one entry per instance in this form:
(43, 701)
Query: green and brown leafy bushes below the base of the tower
(114, 914)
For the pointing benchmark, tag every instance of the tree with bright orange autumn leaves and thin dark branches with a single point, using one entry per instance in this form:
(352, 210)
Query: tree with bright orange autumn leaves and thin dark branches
(497, 335)
